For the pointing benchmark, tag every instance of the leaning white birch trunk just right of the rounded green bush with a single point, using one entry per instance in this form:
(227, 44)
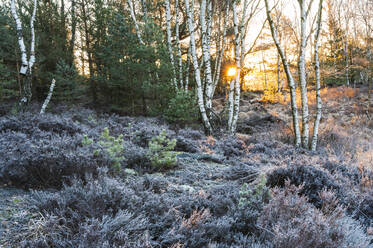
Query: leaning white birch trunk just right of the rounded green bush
(205, 119)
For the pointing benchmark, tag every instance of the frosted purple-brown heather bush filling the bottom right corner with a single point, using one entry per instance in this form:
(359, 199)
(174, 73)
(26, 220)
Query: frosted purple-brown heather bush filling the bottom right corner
(289, 221)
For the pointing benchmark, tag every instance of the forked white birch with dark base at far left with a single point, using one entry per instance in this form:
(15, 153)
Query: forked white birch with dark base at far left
(27, 64)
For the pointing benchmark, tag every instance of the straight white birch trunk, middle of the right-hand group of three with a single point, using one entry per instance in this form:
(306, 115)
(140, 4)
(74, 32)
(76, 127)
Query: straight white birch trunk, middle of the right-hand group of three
(302, 74)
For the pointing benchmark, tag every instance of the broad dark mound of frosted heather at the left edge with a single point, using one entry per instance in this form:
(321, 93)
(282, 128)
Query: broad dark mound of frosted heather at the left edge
(45, 160)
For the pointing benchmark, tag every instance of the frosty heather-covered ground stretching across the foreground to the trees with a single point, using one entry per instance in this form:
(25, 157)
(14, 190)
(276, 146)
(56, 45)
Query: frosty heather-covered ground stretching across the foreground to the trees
(202, 202)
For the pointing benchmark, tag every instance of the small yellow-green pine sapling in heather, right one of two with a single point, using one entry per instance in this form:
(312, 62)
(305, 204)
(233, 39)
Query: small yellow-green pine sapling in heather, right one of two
(160, 151)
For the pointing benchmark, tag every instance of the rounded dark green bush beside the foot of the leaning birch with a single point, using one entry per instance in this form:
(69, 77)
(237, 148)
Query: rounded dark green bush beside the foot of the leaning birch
(182, 108)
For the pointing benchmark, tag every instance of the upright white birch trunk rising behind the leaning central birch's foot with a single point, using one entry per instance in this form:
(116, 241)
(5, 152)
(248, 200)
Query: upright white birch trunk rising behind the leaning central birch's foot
(206, 56)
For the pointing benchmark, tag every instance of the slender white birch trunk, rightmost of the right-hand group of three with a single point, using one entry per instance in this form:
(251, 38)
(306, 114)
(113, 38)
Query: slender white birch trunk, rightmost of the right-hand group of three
(318, 85)
